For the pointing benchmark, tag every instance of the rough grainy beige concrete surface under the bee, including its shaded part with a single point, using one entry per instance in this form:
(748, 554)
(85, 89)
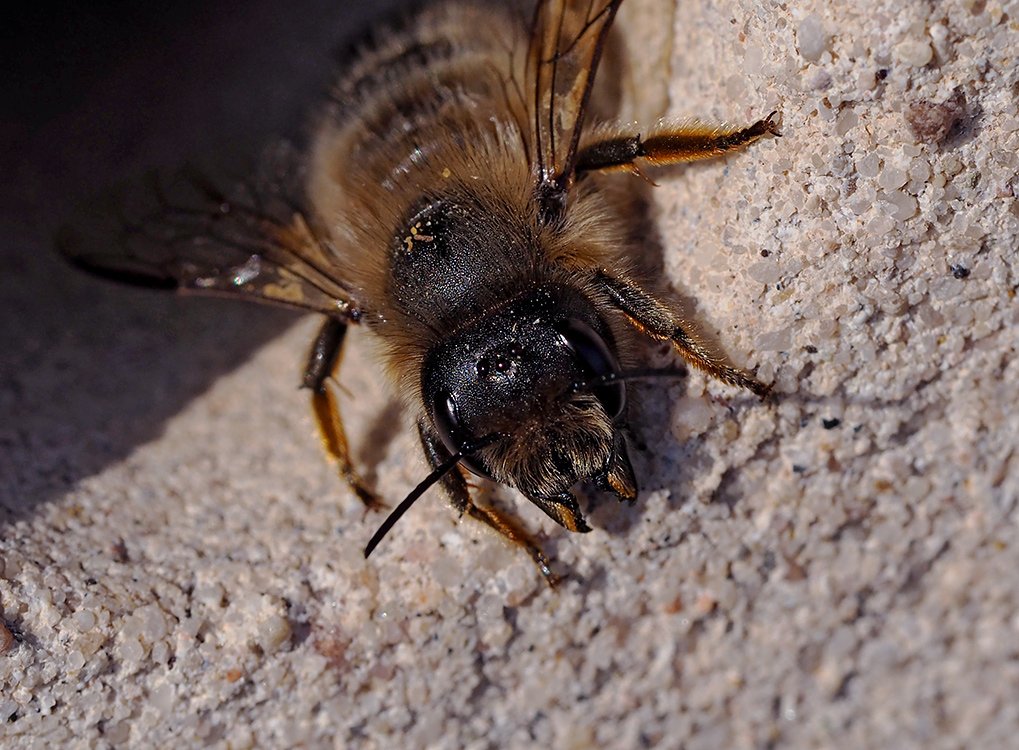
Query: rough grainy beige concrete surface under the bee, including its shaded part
(181, 566)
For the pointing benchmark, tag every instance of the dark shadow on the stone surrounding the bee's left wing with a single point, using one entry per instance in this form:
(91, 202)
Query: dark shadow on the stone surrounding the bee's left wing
(99, 94)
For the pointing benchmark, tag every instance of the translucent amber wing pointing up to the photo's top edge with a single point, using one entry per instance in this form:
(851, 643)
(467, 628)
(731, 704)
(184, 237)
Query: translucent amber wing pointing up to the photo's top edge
(566, 45)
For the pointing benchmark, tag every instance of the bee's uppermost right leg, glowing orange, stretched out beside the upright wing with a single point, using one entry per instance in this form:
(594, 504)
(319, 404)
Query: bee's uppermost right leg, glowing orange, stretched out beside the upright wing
(663, 147)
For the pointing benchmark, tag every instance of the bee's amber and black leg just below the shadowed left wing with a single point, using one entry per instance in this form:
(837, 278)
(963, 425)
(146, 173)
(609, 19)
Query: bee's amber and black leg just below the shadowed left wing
(324, 362)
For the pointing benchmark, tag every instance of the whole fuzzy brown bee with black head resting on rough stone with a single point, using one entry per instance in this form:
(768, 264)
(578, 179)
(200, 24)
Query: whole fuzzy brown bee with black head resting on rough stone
(446, 204)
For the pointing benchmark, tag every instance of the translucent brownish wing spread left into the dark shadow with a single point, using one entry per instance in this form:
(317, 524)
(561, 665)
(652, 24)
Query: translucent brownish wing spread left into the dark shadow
(181, 232)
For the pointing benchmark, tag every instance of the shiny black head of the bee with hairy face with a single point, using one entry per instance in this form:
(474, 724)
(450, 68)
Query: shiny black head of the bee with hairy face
(528, 371)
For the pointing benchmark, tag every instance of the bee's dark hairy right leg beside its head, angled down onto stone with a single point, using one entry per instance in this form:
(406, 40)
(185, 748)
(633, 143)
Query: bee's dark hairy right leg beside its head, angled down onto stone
(655, 319)
